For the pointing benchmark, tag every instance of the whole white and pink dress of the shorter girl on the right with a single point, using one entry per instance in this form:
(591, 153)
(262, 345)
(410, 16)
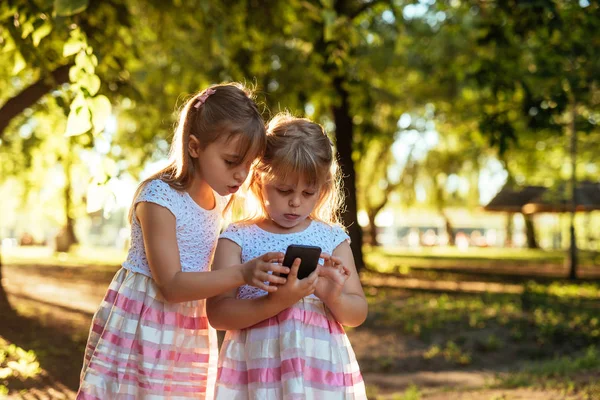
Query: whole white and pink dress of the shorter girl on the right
(301, 353)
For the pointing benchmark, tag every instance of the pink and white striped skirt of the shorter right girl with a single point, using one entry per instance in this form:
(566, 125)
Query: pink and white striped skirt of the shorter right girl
(302, 353)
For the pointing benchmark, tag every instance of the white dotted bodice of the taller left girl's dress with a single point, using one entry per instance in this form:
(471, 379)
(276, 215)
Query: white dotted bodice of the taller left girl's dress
(197, 228)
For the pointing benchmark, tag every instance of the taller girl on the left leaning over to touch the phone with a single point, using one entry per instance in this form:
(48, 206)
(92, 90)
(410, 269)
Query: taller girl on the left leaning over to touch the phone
(150, 337)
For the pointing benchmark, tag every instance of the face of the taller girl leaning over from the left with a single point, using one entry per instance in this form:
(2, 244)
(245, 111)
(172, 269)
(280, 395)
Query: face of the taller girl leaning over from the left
(221, 165)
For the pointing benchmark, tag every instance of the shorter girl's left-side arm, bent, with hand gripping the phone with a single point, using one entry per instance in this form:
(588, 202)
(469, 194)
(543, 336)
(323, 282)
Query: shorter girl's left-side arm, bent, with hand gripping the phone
(226, 312)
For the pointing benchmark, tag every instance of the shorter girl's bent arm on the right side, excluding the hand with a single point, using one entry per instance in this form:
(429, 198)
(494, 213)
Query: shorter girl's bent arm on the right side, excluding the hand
(350, 306)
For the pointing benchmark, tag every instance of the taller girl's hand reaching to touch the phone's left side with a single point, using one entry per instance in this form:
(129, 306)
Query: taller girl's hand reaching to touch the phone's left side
(255, 271)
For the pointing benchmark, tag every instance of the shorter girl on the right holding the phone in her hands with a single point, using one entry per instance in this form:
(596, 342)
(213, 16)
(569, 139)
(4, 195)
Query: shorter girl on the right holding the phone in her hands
(290, 344)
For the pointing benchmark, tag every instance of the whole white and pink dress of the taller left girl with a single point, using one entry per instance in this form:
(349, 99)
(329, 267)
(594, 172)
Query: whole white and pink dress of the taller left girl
(140, 346)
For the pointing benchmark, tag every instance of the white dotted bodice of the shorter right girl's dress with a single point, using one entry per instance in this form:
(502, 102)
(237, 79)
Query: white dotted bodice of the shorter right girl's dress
(255, 242)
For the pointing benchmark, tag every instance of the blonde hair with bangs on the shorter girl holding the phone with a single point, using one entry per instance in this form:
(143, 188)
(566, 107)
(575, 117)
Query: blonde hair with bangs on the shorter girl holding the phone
(298, 146)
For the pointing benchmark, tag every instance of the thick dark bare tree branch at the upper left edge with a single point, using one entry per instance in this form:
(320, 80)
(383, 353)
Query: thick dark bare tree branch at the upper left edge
(30, 95)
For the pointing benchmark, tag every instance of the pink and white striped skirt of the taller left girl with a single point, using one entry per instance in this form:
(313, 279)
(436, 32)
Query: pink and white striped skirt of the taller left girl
(141, 347)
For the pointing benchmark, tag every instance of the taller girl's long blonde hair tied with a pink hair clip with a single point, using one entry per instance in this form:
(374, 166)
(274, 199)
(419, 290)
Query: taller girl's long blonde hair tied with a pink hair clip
(225, 109)
